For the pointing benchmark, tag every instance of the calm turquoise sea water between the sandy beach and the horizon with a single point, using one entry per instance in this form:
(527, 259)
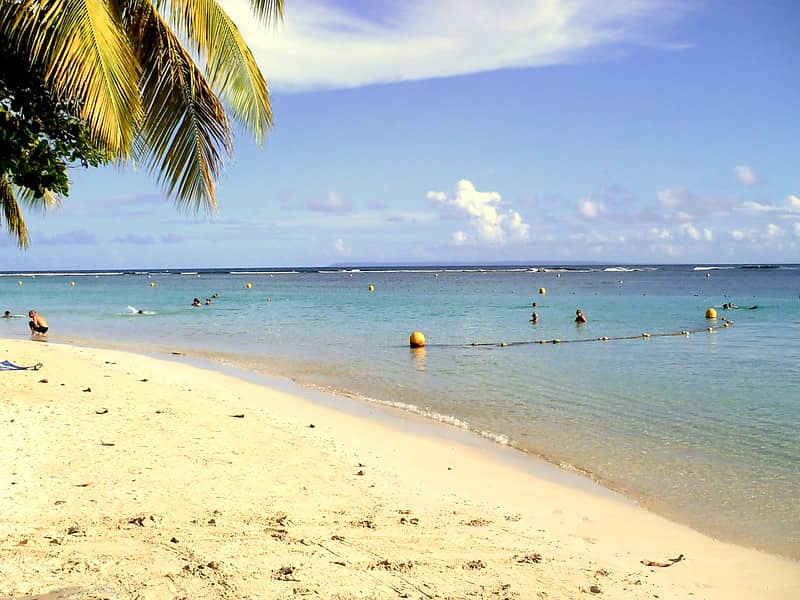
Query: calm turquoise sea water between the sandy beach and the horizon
(703, 428)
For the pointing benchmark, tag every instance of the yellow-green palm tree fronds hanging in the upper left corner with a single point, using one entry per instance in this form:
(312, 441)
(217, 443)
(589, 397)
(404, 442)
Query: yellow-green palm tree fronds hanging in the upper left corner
(144, 96)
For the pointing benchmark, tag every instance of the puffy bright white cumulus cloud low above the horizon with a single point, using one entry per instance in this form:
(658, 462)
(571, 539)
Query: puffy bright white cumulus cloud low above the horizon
(481, 208)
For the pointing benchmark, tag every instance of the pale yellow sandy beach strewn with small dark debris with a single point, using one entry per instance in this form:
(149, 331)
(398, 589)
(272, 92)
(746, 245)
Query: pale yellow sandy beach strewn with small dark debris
(170, 492)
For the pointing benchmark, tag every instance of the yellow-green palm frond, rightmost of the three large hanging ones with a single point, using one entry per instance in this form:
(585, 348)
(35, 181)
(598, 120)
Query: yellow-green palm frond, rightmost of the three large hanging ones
(230, 67)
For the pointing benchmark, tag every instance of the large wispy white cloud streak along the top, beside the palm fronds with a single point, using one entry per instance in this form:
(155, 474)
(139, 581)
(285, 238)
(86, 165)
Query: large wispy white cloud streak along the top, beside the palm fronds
(420, 39)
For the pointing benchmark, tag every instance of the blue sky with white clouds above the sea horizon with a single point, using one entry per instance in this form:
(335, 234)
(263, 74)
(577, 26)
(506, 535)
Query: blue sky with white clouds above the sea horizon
(481, 131)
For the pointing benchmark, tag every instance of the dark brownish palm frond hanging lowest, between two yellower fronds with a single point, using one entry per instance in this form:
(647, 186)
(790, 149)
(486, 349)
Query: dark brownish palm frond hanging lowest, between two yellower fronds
(185, 133)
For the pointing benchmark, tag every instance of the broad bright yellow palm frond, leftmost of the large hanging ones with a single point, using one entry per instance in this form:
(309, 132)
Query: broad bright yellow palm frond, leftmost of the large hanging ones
(86, 56)
